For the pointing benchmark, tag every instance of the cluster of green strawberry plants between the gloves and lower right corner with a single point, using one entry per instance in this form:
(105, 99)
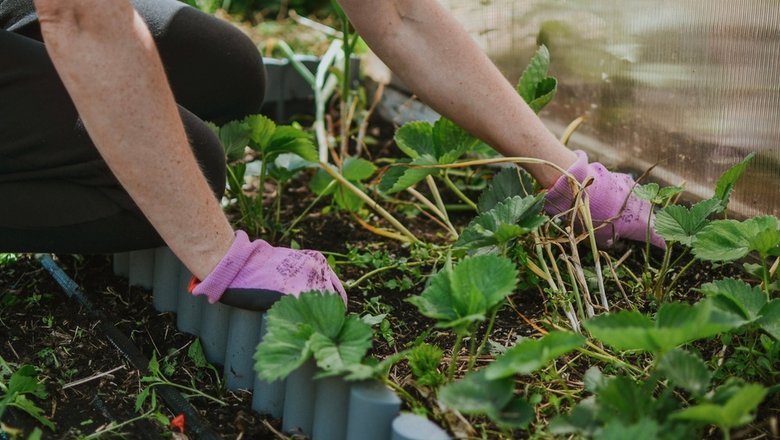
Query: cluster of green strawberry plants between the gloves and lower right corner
(650, 371)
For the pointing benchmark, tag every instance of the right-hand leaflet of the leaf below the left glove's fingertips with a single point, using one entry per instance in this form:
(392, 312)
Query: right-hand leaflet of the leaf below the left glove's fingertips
(348, 348)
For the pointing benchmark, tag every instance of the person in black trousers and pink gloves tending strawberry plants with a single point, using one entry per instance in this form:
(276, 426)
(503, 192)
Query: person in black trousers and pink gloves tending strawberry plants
(103, 147)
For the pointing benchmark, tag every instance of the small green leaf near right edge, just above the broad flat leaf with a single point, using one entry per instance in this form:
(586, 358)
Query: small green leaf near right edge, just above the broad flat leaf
(736, 296)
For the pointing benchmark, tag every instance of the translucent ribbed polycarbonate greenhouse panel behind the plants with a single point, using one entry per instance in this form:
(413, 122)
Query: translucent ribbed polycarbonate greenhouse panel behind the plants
(690, 86)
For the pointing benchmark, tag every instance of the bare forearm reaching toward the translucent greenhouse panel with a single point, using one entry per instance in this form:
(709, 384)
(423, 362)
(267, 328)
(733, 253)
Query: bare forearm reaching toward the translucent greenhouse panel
(428, 49)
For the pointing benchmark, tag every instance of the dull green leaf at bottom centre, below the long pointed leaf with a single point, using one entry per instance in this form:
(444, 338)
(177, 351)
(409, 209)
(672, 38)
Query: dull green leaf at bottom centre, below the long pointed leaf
(475, 394)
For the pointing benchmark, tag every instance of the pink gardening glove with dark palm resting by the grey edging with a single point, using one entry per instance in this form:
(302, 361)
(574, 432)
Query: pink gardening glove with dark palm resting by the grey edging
(253, 275)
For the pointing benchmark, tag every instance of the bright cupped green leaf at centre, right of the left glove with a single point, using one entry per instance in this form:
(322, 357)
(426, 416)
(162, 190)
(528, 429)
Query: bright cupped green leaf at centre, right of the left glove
(466, 293)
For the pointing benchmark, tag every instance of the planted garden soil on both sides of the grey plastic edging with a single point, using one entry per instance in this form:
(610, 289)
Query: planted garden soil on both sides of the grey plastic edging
(556, 340)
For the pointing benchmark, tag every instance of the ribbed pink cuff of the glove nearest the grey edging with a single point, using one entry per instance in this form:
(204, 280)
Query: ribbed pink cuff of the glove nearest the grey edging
(215, 284)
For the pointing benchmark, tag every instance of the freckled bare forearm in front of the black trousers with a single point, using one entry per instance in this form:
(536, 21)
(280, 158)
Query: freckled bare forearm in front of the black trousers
(109, 64)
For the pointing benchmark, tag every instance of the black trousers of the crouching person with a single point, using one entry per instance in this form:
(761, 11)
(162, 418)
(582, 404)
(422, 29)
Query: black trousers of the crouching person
(56, 193)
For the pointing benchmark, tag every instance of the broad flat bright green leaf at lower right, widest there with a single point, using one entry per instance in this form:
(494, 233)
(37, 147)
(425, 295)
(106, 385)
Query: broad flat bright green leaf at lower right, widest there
(675, 325)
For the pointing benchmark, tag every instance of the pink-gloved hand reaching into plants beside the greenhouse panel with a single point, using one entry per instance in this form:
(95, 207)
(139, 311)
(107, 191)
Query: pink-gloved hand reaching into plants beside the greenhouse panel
(613, 206)
